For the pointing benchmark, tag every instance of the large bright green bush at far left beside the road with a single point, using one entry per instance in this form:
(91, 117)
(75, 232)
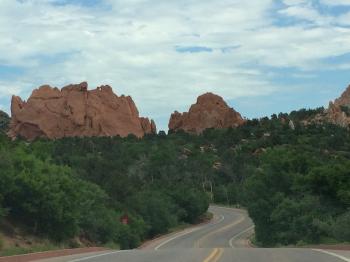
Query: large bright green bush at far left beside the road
(52, 201)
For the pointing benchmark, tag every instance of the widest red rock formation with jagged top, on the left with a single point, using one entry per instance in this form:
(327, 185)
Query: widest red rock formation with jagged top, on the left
(75, 111)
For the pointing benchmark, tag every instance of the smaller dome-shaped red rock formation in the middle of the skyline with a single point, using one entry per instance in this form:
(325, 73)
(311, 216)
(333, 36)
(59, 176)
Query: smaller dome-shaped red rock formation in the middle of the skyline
(210, 111)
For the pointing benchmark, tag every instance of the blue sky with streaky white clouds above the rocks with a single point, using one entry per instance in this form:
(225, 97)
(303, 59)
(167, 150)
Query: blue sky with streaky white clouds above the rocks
(261, 56)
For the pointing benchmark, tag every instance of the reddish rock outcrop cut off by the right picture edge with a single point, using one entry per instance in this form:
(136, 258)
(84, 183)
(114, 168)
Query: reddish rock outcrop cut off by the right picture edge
(338, 111)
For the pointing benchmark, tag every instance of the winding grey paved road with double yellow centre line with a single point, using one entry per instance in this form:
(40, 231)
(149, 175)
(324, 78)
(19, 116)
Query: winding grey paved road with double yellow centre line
(222, 240)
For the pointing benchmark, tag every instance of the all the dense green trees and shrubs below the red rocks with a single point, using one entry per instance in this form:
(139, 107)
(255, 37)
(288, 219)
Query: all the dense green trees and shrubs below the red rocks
(294, 180)
